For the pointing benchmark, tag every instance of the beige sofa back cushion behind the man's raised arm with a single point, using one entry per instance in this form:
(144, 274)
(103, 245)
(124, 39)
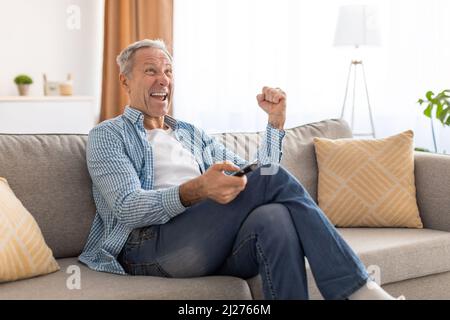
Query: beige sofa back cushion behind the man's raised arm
(298, 149)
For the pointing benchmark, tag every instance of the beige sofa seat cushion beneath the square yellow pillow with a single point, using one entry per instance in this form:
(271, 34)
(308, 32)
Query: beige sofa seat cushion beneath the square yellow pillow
(395, 254)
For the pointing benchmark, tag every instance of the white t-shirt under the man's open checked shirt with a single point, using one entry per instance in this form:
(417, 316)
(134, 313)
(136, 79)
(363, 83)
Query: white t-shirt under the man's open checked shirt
(173, 164)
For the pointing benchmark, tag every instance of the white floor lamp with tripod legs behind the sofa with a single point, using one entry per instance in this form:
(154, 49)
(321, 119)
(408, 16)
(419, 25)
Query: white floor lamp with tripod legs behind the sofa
(357, 26)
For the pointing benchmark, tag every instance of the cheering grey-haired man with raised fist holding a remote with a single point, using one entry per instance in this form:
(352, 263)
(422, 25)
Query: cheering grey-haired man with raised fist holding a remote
(162, 217)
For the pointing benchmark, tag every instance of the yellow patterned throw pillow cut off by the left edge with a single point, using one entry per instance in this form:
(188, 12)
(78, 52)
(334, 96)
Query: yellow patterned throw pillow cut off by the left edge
(23, 251)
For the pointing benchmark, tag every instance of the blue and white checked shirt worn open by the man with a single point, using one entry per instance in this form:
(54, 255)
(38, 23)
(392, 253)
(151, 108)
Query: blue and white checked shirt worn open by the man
(120, 162)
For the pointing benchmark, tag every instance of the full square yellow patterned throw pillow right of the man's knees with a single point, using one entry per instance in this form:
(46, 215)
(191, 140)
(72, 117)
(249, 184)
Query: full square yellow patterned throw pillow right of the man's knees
(368, 183)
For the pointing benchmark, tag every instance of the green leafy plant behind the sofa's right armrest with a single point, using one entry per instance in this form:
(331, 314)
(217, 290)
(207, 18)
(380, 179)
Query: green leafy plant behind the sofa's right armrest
(437, 107)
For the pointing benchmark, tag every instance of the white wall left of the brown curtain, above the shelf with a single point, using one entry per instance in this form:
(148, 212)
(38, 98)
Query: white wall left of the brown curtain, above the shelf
(35, 39)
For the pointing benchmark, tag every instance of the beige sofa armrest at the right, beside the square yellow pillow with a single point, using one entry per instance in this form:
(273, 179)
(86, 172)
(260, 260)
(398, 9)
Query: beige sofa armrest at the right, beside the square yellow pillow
(432, 176)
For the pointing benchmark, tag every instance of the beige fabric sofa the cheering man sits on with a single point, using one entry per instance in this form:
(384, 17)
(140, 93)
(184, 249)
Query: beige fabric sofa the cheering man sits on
(48, 173)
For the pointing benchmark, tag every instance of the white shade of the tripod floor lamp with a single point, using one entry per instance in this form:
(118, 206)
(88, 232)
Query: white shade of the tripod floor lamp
(357, 25)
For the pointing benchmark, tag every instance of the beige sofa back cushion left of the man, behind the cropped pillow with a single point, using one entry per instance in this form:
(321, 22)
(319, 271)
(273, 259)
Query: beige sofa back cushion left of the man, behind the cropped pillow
(48, 174)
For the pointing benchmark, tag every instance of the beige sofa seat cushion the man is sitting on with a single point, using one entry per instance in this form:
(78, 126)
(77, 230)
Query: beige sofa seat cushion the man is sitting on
(100, 285)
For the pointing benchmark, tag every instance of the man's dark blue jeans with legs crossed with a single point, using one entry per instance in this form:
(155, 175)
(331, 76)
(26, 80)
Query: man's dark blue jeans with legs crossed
(268, 229)
